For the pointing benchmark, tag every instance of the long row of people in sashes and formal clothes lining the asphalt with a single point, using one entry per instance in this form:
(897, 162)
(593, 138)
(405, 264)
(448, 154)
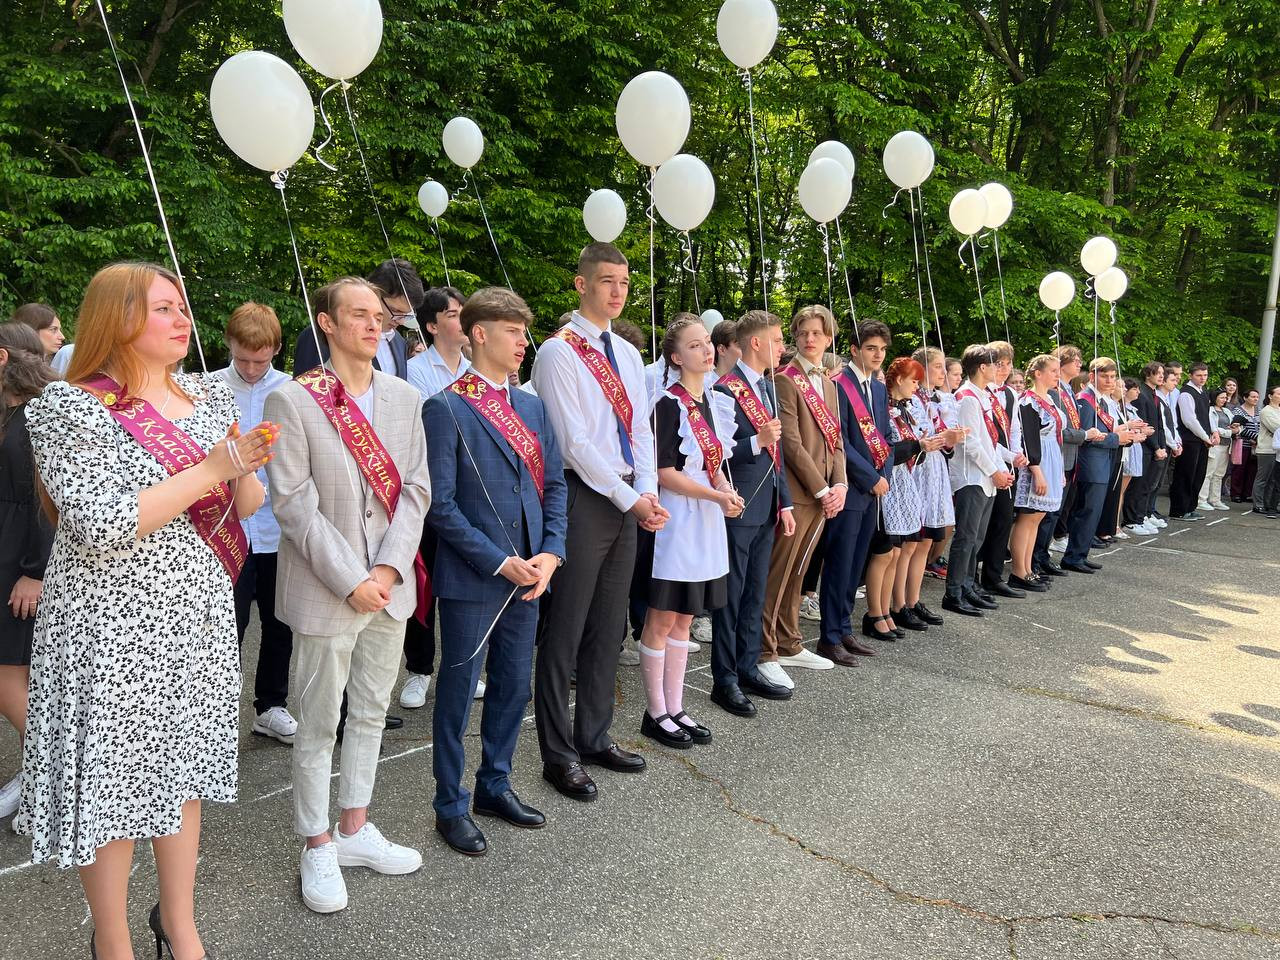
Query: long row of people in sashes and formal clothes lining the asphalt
(395, 486)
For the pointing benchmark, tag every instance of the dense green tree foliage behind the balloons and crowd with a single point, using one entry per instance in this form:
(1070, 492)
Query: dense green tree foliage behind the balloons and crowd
(1151, 121)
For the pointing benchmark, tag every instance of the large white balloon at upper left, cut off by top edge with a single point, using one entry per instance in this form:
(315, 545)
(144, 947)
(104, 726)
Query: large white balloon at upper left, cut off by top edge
(339, 38)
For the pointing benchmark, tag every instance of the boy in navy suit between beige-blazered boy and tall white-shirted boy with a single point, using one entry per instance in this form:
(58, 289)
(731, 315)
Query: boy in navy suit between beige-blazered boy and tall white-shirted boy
(500, 514)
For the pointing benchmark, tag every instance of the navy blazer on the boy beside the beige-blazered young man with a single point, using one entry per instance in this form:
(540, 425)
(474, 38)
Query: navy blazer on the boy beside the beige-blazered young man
(469, 458)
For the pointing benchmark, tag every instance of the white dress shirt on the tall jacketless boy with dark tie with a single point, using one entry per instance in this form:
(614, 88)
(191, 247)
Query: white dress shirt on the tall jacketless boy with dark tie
(584, 422)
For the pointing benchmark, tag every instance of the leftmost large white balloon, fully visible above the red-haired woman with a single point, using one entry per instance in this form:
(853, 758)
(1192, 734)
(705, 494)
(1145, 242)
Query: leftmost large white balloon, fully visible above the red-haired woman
(262, 108)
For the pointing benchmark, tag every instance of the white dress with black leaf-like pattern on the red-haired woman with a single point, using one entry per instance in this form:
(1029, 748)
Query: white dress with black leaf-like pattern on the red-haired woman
(135, 675)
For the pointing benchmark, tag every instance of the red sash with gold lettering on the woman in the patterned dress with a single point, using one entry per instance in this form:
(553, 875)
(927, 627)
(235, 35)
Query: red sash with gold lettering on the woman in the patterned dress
(177, 451)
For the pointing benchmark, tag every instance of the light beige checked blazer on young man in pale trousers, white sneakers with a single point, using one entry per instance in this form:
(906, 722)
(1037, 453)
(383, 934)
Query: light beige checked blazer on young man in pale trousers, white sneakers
(333, 531)
